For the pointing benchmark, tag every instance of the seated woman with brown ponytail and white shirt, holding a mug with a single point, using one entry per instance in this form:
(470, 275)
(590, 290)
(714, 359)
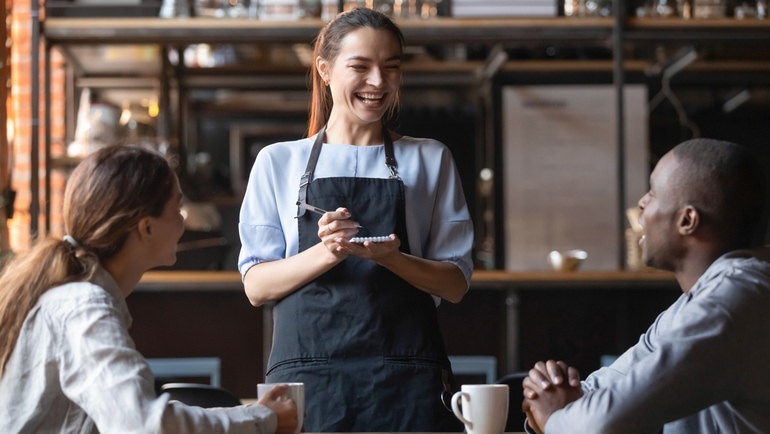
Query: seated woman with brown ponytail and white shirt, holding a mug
(67, 363)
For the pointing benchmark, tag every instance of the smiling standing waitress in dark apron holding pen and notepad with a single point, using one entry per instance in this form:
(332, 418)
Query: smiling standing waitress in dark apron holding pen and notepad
(357, 234)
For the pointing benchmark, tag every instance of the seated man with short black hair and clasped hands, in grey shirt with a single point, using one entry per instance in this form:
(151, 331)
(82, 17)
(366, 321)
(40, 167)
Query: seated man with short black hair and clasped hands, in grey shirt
(704, 364)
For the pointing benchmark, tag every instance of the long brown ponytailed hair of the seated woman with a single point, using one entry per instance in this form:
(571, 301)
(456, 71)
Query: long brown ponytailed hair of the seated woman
(106, 196)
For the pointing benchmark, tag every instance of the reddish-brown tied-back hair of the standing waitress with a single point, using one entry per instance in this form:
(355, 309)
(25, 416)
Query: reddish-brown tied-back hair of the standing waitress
(327, 46)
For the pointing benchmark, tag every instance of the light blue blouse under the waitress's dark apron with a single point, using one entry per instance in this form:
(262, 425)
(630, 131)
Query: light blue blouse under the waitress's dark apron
(437, 218)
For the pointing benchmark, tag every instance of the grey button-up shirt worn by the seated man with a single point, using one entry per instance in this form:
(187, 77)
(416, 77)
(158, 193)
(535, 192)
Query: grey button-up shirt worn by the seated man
(703, 367)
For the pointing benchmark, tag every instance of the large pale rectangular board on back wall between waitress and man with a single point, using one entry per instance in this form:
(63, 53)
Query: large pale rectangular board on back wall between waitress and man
(560, 175)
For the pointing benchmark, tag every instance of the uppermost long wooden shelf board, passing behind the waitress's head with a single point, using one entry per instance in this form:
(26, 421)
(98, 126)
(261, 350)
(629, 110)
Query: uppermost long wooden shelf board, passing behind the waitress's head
(425, 32)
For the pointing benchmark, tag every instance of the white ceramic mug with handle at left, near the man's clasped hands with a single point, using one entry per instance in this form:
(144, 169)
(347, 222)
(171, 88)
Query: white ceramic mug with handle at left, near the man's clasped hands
(484, 407)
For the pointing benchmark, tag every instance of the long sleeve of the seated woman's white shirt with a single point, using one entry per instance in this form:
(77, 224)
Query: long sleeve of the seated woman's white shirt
(107, 378)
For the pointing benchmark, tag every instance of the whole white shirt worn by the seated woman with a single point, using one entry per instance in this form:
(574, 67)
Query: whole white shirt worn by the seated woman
(75, 370)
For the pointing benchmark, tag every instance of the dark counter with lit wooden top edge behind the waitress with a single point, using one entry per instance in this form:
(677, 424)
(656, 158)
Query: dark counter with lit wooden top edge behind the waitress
(515, 317)
